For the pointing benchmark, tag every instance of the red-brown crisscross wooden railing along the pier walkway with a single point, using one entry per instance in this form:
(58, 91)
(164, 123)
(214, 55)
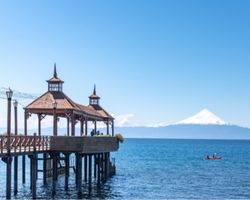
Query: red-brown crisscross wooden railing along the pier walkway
(20, 144)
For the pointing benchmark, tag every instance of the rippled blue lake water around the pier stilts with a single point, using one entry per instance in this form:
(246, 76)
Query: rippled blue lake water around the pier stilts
(164, 169)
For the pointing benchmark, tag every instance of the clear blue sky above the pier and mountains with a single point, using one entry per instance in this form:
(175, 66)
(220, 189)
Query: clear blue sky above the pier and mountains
(158, 61)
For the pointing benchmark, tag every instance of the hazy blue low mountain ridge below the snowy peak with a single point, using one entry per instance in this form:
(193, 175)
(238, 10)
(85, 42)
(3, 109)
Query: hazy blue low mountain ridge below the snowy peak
(187, 132)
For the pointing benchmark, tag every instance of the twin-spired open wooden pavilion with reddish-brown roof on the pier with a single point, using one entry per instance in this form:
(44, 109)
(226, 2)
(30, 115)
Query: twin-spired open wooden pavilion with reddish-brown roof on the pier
(57, 104)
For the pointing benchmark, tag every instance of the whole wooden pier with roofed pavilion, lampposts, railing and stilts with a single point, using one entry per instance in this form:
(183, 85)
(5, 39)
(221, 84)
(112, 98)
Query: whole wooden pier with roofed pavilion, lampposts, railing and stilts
(91, 151)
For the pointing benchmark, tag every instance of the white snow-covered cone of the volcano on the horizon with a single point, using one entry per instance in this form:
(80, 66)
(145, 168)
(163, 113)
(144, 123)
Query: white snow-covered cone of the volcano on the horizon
(205, 117)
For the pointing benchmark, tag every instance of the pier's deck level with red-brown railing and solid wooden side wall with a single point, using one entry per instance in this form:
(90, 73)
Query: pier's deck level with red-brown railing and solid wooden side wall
(26, 145)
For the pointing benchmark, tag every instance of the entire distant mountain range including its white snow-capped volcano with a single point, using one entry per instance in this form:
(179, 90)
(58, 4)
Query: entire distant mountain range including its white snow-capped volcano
(203, 125)
